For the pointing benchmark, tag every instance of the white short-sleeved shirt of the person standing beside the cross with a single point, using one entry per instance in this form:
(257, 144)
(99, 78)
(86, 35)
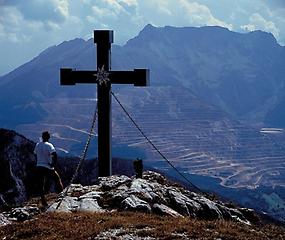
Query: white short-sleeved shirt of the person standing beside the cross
(44, 151)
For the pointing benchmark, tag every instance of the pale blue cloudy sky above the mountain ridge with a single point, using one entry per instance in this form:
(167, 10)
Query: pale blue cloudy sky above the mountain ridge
(29, 26)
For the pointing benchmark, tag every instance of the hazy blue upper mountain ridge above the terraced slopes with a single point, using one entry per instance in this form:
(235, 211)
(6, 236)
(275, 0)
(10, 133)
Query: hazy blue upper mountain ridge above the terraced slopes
(243, 74)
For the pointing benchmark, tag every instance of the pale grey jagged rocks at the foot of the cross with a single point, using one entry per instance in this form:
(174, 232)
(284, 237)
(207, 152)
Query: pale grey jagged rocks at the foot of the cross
(151, 194)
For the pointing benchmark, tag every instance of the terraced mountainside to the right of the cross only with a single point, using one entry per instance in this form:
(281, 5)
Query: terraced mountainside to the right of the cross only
(203, 140)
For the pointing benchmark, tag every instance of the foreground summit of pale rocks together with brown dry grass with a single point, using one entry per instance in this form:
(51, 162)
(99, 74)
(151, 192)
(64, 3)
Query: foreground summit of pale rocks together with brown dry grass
(122, 207)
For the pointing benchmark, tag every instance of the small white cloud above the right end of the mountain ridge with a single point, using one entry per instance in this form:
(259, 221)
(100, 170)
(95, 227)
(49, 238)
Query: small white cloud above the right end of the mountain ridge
(257, 22)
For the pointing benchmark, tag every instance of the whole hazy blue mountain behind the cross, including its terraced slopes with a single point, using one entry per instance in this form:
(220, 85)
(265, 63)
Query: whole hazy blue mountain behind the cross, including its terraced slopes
(205, 84)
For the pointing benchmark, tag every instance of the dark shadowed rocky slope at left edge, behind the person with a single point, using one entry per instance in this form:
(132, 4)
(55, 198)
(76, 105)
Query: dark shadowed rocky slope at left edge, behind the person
(16, 159)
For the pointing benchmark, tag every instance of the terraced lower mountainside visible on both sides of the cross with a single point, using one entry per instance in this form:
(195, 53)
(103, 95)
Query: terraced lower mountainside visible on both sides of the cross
(197, 138)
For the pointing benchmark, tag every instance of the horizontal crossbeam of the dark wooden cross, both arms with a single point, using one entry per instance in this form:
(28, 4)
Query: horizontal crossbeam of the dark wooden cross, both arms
(138, 77)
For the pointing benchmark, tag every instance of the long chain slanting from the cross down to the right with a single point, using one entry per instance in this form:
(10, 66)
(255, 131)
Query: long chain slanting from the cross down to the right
(152, 144)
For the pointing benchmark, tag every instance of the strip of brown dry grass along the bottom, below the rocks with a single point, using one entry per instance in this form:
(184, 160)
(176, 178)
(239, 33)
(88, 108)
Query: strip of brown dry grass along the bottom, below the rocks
(88, 226)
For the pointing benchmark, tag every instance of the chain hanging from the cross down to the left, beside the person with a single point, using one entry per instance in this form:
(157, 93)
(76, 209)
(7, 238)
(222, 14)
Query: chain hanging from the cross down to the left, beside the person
(82, 157)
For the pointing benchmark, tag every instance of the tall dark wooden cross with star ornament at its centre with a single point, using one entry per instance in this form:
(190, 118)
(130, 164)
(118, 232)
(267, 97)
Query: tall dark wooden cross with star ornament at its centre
(104, 79)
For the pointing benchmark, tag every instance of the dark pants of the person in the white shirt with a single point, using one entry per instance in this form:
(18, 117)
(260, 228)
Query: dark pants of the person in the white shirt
(45, 174)
